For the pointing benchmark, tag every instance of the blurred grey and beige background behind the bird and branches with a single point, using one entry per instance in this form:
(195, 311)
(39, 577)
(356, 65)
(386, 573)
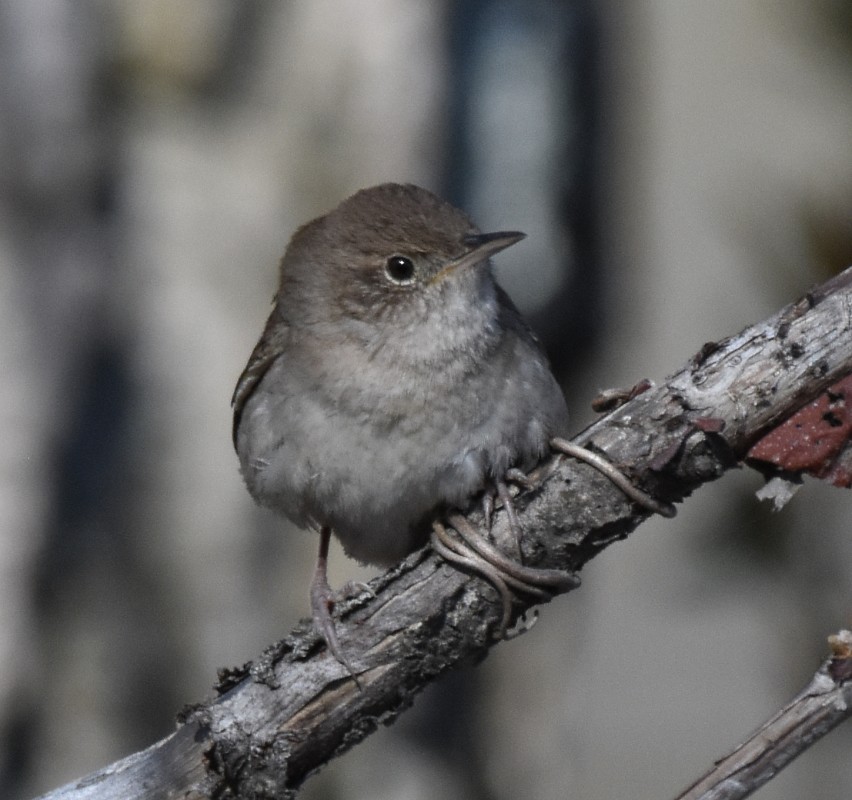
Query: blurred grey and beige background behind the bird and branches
(682, 168)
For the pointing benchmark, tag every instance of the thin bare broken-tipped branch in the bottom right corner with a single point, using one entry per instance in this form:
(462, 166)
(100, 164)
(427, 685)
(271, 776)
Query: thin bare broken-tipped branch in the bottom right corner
(822, 705)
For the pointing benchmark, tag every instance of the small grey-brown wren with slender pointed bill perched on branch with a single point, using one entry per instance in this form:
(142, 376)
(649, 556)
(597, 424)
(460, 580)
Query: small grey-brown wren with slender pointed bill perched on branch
(394, 379)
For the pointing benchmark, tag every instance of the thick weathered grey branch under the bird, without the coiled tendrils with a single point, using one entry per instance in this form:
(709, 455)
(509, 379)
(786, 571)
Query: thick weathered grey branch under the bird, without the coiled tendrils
(282, 717)
